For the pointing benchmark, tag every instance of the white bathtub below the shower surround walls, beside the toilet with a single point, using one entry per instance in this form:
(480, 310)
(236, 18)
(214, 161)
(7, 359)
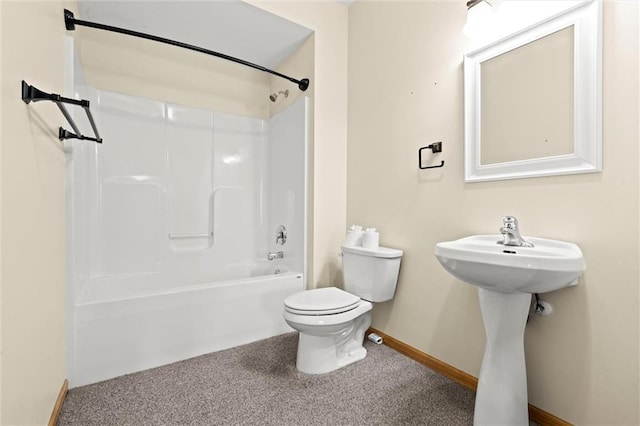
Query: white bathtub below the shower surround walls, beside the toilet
(158, 323)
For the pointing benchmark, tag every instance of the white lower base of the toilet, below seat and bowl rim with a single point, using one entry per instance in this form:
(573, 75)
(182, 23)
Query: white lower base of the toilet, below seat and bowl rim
(323, 354)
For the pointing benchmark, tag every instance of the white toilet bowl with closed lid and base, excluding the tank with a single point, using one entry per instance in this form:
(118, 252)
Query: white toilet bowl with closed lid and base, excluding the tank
(332, 324)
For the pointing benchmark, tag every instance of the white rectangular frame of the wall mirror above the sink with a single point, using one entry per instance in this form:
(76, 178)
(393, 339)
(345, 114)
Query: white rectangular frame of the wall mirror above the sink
(587, 155)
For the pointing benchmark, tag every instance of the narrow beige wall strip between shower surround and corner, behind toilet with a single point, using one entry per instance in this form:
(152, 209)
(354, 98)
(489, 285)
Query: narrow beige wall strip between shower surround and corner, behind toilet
(329, 20)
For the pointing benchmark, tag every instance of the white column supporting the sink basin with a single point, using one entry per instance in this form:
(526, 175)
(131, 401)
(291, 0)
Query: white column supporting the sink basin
(501, 398)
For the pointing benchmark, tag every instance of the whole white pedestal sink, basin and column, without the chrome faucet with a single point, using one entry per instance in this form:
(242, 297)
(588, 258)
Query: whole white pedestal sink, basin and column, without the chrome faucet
(506, 276)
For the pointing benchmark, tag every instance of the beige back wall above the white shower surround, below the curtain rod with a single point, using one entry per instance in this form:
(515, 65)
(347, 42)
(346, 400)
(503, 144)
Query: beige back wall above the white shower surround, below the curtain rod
(157, 71)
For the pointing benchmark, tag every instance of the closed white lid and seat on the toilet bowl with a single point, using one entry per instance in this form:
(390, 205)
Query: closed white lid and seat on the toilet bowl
(321, 301)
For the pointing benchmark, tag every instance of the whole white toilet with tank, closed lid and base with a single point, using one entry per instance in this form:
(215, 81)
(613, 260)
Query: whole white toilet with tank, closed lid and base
(332, 322)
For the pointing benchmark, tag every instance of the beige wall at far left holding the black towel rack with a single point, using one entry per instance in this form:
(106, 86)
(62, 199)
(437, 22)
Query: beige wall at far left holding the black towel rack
(33, 216)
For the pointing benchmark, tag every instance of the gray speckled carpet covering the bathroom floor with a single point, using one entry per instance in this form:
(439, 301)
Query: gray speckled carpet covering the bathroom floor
(258, 384)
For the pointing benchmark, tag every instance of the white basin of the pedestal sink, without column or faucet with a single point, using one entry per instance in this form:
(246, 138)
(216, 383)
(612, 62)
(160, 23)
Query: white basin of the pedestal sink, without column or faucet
(549, 265)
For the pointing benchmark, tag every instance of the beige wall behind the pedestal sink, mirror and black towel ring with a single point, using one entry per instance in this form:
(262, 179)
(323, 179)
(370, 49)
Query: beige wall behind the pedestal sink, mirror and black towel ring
(405, 91)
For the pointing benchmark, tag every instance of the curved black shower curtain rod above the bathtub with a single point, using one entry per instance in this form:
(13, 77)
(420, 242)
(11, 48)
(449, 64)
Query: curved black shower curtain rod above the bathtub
(70, 22)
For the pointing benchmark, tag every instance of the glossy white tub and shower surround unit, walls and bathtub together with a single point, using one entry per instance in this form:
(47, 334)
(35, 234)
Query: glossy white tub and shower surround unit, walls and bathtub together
(170, 224)
